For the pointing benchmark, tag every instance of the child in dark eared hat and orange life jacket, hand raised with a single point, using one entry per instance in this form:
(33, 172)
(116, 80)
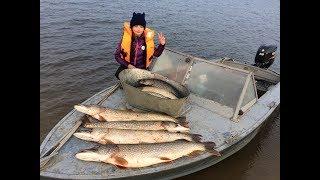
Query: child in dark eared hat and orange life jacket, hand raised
(136, 48)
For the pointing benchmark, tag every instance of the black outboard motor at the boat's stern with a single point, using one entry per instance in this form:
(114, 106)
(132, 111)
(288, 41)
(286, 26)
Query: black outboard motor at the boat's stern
(265, 56)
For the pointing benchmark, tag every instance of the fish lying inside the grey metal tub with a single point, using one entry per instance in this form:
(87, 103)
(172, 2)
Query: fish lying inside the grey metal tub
(160, 84)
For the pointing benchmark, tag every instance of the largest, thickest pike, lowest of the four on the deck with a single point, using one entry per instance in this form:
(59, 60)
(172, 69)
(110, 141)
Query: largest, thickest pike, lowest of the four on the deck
(142, 155)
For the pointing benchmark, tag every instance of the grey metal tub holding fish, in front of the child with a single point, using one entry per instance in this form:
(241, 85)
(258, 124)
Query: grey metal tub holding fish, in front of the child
(135, 97)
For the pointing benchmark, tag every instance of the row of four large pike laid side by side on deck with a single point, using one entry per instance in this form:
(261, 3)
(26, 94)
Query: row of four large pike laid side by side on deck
(137, 139)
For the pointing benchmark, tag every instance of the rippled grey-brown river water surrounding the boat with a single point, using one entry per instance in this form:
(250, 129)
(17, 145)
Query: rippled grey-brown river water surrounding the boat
(78, 39)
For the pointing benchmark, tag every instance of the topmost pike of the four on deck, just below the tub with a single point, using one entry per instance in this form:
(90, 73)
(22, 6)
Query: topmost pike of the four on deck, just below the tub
(107, 114)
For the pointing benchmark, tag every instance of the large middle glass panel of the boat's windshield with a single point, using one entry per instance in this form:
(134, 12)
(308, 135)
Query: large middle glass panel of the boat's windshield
(220, 84)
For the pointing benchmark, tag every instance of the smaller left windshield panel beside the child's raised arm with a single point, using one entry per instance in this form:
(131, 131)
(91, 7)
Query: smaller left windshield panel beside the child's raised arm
(172, 65)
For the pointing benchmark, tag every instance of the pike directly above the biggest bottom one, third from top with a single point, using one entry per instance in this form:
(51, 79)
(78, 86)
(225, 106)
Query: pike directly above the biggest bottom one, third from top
(129, 136)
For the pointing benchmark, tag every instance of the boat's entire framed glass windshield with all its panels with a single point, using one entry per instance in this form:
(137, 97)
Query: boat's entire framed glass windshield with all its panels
(221, 84)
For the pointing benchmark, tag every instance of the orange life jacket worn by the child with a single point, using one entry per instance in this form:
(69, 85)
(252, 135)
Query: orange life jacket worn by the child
(126, 43)
